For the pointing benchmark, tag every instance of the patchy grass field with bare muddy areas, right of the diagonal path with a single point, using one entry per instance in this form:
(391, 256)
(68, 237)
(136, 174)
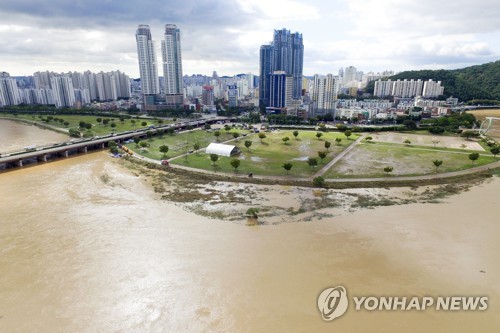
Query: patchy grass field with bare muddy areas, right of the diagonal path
(369, 160)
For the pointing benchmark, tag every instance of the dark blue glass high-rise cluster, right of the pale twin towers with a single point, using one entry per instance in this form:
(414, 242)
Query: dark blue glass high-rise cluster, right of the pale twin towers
(285, 54)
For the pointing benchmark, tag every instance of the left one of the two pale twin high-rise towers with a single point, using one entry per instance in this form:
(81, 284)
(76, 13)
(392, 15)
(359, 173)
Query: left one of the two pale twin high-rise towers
(147, 61)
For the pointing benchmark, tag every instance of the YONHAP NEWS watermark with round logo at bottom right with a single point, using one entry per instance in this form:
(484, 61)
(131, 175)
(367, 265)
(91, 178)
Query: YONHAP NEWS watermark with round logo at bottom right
(333, 302)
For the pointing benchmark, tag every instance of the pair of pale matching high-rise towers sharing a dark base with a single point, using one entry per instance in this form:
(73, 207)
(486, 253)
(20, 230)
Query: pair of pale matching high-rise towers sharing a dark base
(172, 68)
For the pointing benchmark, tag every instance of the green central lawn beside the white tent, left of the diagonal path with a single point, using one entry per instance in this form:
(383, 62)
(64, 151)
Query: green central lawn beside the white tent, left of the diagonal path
(267, 158)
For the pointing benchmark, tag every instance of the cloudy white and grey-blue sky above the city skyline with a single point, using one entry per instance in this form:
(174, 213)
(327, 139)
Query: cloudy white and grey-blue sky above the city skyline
(225, 36)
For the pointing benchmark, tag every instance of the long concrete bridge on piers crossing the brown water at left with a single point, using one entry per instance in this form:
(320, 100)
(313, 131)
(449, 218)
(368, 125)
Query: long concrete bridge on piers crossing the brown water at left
(78, 146)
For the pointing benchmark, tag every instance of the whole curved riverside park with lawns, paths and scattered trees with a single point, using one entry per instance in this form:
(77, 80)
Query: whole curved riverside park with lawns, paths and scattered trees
(309, 154)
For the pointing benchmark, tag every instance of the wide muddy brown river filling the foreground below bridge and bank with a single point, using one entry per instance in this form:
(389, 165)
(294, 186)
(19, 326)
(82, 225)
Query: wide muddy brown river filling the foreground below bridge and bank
(85, 246)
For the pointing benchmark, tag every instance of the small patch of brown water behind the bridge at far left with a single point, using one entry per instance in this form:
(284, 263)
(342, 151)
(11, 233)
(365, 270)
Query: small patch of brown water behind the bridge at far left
(14, 136)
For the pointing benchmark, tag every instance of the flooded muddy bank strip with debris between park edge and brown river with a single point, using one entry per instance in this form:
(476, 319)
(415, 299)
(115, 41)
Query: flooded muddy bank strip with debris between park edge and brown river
(229, 198)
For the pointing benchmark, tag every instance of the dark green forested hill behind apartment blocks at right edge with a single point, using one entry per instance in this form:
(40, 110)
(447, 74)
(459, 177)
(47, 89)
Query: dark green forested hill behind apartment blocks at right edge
(480, 82)
